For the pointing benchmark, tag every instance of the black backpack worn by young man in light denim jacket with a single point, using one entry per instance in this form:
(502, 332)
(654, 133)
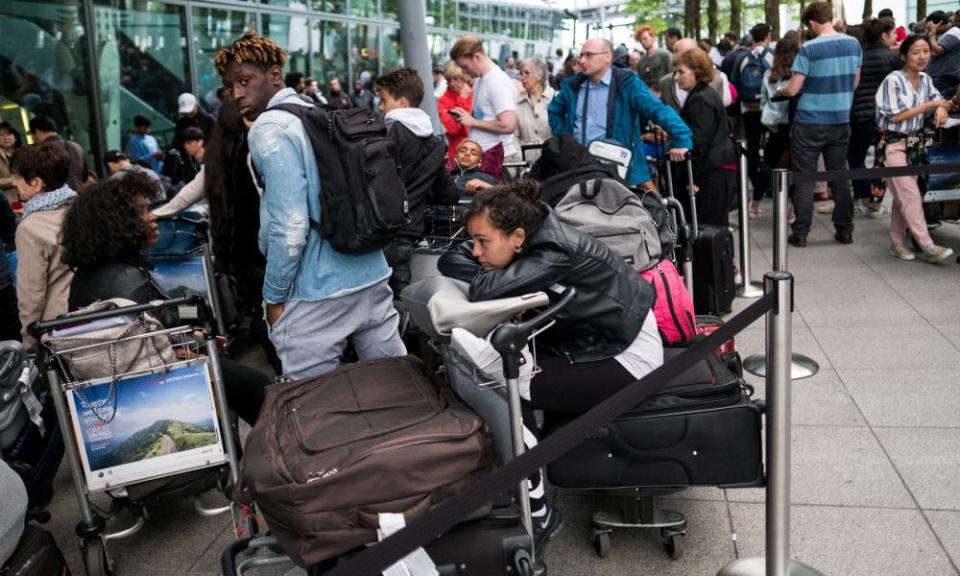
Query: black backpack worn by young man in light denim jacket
(363, 202)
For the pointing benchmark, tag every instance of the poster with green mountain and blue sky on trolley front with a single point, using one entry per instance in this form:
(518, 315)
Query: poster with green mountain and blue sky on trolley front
(147, 426)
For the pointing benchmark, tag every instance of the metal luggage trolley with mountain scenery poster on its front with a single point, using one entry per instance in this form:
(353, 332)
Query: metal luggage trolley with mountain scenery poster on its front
(114, 448)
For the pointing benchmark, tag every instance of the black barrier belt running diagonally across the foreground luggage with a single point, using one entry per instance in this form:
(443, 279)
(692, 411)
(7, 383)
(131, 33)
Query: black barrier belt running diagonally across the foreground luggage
(379, 557)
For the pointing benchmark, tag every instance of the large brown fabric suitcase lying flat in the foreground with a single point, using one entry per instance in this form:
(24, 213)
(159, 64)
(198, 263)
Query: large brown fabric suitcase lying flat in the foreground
(329, 454)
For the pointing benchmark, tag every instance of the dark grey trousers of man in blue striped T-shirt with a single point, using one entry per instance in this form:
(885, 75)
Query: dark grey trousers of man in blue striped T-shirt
(807, 142)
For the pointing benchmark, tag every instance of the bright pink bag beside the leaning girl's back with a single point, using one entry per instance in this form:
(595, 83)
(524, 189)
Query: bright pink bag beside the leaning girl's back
(673, 307)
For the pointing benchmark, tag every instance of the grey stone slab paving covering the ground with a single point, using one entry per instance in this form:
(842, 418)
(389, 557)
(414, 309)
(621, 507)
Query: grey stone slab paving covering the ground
(876, 465)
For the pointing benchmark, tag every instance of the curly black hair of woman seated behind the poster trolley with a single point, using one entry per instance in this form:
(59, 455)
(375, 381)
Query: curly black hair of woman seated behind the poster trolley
(103, 225)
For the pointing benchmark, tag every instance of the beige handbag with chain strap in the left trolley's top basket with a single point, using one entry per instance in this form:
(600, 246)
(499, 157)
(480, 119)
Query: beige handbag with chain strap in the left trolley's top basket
(112, 349)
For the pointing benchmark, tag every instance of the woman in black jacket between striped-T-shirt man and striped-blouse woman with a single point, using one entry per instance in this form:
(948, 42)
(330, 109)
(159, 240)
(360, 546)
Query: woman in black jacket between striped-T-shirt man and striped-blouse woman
(879, 60)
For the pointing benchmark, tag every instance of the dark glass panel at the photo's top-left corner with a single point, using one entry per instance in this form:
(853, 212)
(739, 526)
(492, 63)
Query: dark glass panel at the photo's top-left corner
(41, 68)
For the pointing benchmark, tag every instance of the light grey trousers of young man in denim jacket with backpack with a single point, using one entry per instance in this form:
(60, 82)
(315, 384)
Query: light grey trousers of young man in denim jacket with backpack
(310, 336)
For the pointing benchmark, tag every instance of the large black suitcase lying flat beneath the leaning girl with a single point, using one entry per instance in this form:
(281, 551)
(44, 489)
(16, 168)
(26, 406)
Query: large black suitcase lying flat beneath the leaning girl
(703, 430)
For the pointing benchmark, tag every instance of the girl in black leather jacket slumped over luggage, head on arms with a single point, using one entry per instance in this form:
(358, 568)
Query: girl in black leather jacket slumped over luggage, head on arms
(603, 341)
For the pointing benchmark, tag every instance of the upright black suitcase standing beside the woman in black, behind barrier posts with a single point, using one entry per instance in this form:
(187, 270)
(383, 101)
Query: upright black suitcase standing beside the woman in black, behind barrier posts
(714, 287)
